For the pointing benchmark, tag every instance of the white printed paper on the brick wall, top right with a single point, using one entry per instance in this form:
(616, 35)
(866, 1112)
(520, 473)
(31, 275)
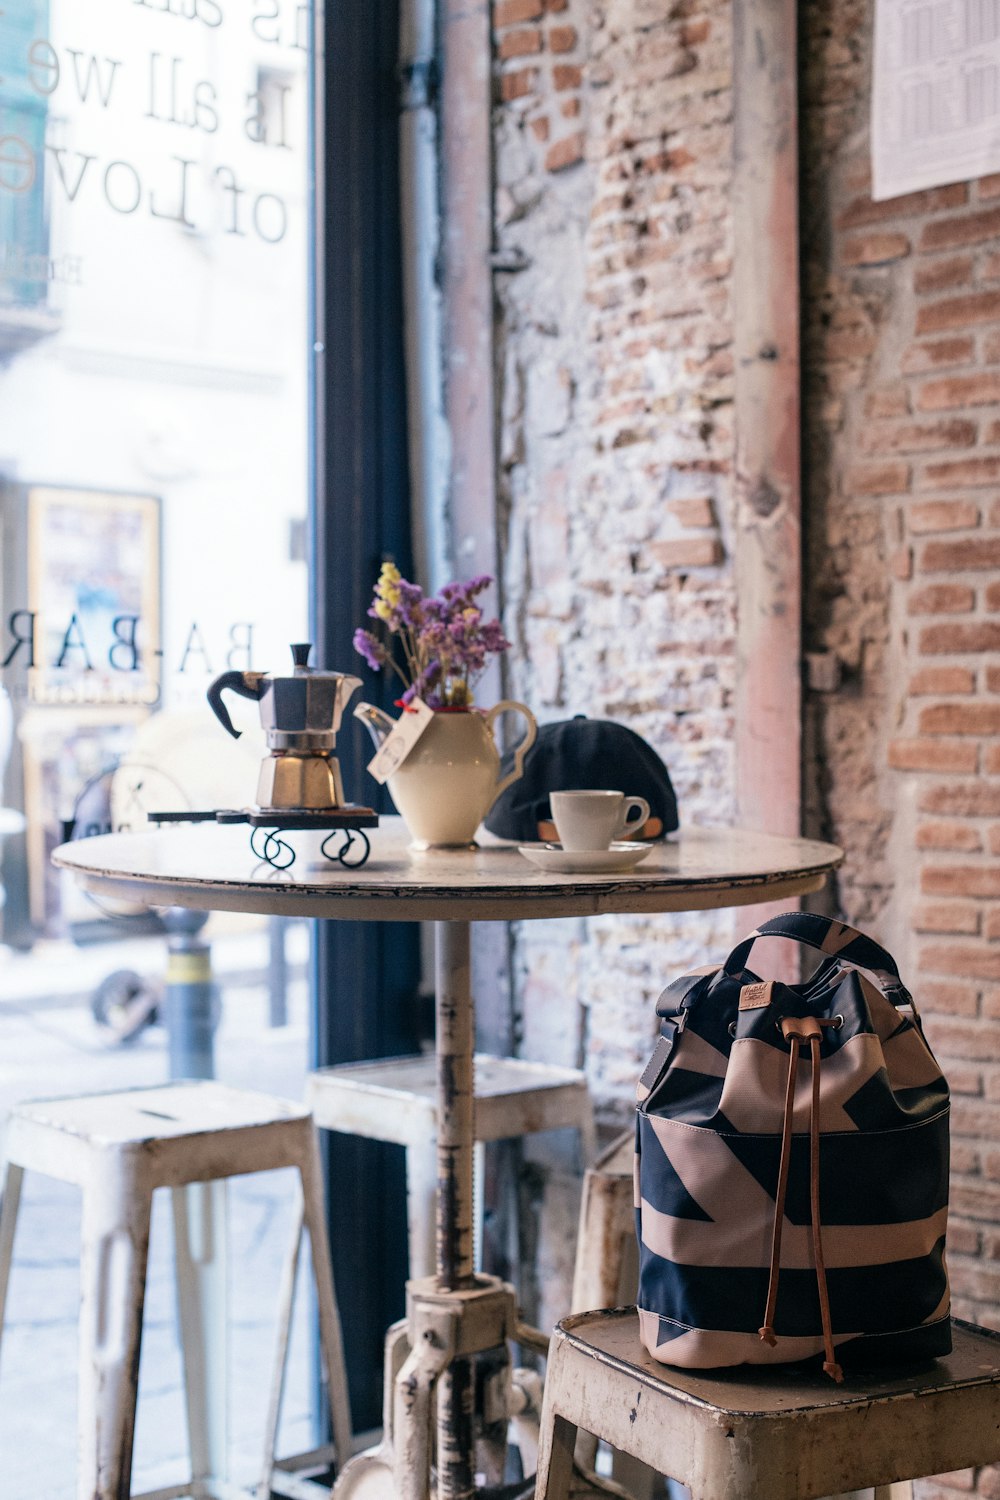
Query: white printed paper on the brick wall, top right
(935, 94)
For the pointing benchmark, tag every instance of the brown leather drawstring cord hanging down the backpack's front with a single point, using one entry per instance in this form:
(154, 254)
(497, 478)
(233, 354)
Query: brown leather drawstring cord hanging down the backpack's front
(800, 1031)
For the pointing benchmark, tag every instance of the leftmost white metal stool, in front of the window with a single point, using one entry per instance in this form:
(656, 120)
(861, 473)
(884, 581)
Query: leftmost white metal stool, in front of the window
(119, 1148)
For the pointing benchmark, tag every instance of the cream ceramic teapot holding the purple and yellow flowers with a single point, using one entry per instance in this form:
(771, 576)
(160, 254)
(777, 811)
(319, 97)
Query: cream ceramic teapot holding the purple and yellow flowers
(451, 779)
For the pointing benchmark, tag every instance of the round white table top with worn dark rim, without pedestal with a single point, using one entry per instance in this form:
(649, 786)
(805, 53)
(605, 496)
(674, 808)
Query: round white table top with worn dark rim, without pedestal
(212, 868)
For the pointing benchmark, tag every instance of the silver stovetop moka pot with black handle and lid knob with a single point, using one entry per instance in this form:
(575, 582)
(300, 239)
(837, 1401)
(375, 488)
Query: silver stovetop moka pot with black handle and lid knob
(302, 716)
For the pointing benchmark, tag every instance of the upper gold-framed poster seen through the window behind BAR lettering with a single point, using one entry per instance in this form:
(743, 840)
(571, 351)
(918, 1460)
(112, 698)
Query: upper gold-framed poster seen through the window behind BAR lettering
(94, 607)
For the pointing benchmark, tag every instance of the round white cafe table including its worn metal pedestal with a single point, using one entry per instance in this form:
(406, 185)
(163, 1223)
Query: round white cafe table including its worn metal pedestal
(457, 1315)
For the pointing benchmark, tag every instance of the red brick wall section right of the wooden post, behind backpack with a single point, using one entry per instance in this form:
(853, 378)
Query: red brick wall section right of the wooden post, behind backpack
(902, 316)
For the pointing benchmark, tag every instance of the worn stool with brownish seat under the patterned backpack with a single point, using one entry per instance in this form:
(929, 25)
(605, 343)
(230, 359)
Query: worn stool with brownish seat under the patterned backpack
(770, 1433)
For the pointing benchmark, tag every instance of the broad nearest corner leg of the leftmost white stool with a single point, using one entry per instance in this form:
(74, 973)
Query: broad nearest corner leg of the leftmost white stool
(116, 1237)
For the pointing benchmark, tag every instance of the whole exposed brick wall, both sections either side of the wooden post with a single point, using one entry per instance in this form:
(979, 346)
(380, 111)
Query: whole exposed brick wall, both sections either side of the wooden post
(614, 143)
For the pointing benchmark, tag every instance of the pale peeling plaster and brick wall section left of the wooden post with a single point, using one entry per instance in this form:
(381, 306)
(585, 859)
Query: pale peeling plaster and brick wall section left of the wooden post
(615, 473)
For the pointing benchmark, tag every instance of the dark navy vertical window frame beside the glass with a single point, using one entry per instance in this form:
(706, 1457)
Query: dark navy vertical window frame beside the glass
(365, 974)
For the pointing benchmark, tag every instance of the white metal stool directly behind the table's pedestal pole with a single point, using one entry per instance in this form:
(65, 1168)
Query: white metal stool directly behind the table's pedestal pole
(394, 1100)
